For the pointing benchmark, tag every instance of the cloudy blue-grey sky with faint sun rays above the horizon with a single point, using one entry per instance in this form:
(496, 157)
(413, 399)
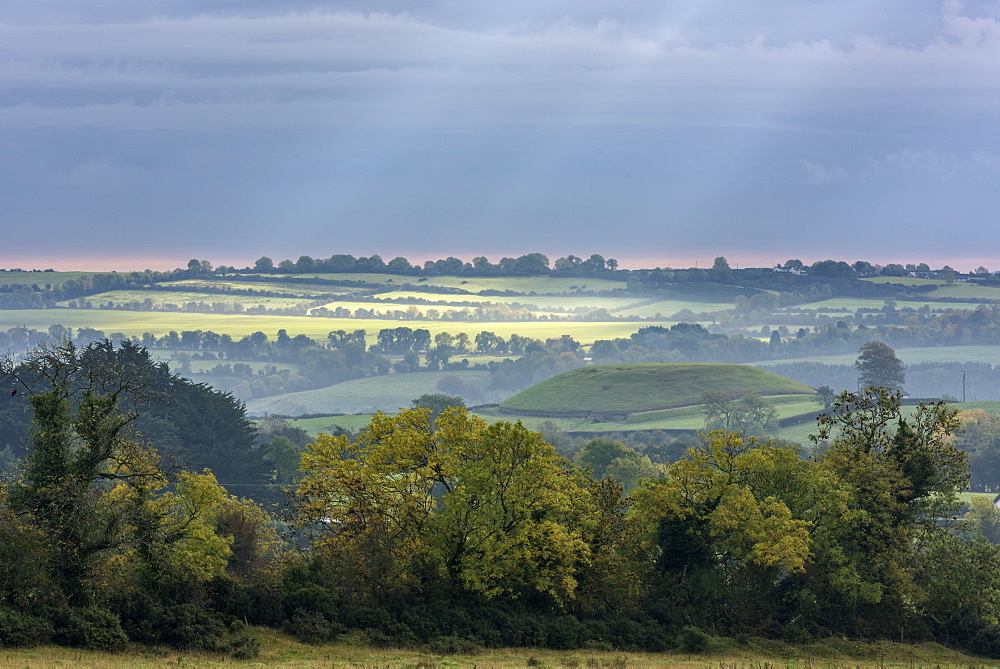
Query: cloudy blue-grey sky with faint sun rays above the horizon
(143, 134)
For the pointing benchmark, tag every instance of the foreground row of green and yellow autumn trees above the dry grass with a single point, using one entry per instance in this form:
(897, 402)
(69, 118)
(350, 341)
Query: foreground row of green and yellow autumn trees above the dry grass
(445, 532)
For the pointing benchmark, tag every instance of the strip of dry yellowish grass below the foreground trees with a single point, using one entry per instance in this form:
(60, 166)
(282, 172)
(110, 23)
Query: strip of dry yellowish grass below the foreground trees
(280, 650)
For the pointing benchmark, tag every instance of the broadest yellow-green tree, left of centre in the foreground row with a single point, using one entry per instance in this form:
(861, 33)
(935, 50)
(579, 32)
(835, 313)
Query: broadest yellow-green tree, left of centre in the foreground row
(490, 509)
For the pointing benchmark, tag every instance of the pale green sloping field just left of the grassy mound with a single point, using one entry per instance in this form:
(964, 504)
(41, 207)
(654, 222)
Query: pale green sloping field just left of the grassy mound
(367, 395)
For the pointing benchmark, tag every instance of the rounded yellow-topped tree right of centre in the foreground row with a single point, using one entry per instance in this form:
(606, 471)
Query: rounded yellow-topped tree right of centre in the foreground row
(724, 525)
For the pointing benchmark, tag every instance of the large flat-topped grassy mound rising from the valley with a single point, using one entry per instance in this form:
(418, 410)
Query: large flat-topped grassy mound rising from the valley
(645, 387)
